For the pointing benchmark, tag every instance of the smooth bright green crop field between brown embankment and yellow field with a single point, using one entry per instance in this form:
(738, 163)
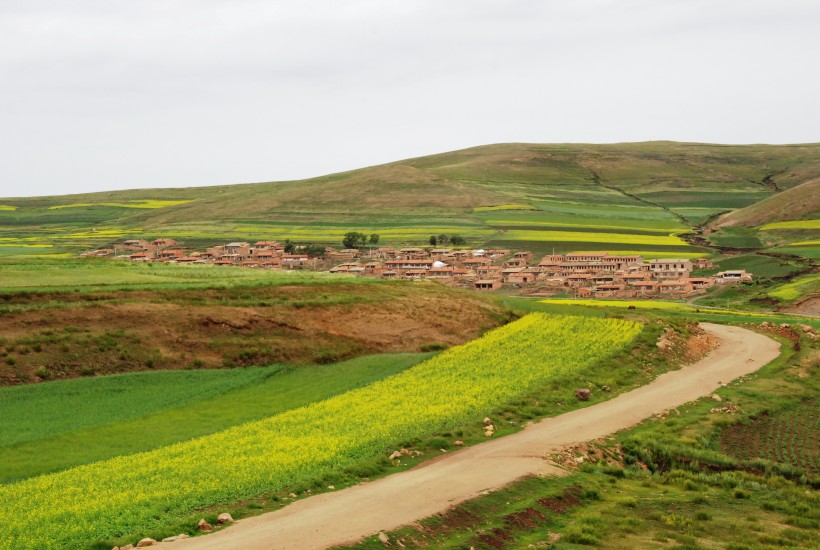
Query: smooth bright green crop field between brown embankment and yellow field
(113, 419)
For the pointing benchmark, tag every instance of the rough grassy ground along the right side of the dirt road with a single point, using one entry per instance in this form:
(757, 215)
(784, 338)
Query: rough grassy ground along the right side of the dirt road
(664, 483)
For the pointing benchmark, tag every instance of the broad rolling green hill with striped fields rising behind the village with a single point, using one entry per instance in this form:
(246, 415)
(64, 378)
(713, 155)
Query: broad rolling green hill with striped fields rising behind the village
(567, 197)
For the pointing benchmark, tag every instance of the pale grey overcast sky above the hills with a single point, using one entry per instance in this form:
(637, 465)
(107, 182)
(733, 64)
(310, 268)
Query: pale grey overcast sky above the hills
(99, 95)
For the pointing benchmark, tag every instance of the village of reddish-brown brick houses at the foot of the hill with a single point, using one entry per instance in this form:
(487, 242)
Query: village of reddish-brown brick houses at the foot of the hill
(580, 274)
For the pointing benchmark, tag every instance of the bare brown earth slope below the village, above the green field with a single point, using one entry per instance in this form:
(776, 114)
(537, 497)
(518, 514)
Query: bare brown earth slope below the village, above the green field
(120, 332)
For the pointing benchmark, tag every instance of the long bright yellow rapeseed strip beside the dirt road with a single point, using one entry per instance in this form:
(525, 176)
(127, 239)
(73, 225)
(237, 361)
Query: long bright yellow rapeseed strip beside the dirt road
(137, 493)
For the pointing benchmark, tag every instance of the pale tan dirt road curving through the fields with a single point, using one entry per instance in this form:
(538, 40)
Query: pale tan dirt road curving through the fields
(356, 512)
